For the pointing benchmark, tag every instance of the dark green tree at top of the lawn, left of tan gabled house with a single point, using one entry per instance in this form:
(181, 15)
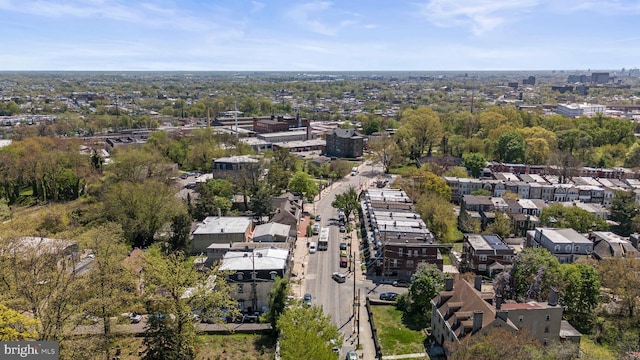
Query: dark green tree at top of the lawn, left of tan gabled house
(428, 280)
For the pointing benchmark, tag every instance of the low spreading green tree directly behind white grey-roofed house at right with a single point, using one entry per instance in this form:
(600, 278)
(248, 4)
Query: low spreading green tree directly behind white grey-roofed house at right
(557, 215)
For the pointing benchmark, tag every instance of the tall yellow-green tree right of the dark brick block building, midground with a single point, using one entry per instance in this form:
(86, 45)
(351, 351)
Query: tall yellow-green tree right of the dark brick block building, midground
(421, 129)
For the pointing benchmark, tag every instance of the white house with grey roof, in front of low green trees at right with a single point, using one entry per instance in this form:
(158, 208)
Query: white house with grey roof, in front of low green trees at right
(567, 245)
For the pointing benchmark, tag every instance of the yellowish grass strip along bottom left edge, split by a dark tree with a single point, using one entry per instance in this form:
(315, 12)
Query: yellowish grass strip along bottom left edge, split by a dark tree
(214, 347)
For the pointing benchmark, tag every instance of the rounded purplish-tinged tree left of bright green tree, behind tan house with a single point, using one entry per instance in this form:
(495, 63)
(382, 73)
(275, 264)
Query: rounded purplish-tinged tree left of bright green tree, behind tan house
(534, 271)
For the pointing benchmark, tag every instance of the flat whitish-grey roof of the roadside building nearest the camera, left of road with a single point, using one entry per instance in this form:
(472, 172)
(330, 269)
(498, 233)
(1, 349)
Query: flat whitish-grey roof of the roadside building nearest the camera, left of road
(259, 259)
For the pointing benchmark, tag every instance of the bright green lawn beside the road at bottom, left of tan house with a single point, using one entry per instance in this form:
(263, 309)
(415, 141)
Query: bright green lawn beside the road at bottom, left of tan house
(395, 337)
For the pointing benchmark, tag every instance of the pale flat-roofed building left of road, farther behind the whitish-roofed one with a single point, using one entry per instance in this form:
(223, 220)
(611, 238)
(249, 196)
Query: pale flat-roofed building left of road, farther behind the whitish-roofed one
(220, 230)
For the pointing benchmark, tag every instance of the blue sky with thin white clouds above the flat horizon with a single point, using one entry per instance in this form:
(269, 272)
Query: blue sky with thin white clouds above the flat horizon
(266, 35)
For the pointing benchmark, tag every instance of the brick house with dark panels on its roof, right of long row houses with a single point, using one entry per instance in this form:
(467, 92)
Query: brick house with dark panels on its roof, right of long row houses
(487, 254)
